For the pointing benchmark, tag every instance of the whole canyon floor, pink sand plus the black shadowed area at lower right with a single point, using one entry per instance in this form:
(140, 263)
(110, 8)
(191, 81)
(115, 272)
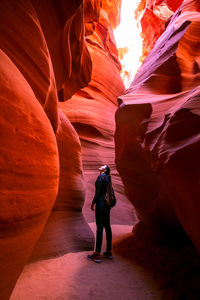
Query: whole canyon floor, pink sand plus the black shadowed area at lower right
(140, 270)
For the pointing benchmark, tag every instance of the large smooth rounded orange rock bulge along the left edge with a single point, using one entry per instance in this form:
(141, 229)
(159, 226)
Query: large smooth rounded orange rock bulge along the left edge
(29, 172)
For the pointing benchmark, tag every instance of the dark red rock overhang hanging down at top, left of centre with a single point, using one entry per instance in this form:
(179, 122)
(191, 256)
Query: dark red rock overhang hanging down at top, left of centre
(63, 26)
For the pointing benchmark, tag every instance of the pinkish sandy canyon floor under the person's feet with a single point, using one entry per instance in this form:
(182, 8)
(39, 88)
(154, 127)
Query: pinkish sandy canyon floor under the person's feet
(74, 277)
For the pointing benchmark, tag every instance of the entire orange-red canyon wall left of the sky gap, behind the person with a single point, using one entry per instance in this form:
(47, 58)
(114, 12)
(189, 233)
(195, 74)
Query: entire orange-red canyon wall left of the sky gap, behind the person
(59, 84)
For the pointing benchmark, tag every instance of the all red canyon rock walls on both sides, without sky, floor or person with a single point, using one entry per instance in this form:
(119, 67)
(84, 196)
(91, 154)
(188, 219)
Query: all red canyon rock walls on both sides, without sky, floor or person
(60, 80)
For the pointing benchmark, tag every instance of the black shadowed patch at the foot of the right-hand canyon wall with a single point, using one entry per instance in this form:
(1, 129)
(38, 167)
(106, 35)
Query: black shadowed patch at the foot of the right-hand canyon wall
(173, 263)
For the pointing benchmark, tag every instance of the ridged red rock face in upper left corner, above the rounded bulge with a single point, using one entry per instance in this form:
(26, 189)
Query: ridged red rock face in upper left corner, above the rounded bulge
(33, 61)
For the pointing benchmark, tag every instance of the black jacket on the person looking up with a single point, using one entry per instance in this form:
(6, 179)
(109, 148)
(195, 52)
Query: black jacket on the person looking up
(100, 188)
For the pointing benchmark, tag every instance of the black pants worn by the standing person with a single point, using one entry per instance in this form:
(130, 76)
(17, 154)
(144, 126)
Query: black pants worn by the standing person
(102, 212)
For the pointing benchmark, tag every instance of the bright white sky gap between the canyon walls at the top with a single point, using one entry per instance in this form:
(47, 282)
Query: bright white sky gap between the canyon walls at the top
(127, 36)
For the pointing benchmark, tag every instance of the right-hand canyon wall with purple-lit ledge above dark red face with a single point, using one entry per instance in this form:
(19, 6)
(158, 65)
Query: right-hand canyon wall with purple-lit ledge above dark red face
(158, 125)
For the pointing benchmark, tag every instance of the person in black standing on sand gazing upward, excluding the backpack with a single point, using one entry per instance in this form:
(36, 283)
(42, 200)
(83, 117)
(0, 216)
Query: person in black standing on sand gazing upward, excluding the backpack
(102, 214)
